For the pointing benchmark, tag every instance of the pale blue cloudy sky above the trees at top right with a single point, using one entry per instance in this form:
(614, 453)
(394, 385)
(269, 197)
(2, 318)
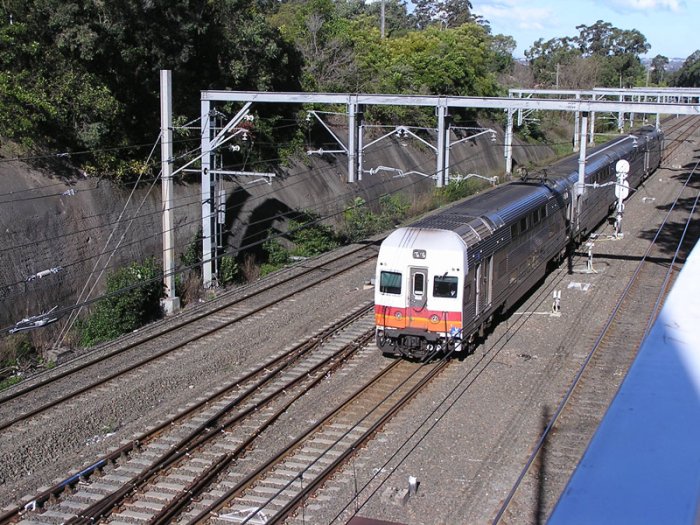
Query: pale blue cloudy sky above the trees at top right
(671, 27)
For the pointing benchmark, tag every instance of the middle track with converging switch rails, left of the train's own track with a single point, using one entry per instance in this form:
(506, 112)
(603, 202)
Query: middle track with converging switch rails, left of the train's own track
(250, 403)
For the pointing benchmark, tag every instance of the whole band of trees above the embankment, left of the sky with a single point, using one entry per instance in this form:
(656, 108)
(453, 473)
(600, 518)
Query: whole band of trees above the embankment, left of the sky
(82, 76)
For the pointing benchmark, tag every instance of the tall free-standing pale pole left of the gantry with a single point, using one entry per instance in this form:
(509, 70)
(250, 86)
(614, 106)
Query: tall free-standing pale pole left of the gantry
(170, 303)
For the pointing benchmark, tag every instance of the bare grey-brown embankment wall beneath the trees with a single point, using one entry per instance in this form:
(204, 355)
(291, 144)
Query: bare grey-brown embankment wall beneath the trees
(80, 228)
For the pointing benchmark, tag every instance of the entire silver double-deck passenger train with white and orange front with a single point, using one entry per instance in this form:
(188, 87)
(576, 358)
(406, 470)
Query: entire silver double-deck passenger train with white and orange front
(442, 281)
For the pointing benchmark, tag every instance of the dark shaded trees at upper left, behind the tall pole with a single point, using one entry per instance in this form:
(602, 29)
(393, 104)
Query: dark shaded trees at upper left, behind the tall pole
(83, 75)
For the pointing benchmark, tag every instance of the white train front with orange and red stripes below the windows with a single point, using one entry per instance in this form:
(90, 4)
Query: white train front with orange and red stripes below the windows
(419, 292)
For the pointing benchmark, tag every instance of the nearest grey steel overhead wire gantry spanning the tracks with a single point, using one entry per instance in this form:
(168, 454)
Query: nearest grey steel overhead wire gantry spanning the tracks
(582, 106)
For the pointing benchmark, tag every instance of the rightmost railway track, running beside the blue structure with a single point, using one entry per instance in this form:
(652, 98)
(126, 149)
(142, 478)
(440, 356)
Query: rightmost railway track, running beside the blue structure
(568, 429)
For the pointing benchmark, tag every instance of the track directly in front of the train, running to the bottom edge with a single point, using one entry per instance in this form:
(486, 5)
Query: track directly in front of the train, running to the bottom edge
(280, 487)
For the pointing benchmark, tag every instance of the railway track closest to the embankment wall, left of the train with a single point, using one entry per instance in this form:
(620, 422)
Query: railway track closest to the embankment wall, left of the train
(175, 341)
